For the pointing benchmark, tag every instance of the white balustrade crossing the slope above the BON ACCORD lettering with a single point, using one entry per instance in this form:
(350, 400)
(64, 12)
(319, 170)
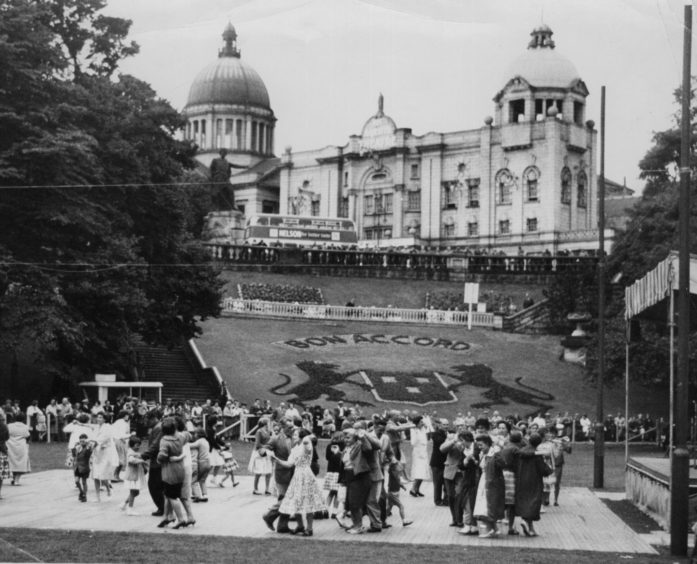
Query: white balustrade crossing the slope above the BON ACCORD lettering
(232, 306)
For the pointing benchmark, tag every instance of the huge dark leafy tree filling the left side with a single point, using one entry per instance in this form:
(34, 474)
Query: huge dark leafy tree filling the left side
(97, 243)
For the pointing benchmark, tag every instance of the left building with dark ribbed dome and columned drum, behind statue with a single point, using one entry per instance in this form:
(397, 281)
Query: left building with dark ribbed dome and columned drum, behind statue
(228, 108)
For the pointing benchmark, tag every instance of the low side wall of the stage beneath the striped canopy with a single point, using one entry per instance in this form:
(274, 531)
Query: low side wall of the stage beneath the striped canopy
(648, 486)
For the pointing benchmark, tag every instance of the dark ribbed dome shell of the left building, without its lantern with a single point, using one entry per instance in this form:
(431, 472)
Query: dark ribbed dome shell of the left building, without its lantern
(228, 81)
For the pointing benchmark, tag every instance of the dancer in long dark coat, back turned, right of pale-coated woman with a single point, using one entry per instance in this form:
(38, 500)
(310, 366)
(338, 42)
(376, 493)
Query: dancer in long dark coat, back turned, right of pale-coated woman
(530, 469)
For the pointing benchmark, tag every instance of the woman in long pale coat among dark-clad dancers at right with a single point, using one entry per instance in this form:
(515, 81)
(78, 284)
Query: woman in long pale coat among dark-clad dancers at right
(489, 506)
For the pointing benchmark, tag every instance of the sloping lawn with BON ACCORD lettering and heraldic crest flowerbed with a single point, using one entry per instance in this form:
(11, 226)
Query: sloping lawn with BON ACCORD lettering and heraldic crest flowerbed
(322, 362)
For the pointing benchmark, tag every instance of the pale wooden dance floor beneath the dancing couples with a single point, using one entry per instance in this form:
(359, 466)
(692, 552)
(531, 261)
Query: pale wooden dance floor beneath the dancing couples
(48, 500)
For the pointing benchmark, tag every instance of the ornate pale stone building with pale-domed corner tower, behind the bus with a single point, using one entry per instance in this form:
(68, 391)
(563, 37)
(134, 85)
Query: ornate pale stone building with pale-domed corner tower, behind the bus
(523, 182)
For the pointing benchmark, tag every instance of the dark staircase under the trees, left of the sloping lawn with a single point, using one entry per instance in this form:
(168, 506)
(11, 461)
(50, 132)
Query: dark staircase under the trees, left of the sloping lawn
(180, 371)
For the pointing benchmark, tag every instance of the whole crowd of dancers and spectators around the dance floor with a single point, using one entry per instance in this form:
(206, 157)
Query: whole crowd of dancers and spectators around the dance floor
(494, 474)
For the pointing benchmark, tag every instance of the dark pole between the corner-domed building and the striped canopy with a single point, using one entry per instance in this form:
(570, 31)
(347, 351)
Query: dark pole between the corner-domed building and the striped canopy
(599, 448)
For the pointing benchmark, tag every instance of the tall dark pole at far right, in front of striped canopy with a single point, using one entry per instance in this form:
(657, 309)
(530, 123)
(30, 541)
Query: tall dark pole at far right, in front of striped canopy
(680, 458)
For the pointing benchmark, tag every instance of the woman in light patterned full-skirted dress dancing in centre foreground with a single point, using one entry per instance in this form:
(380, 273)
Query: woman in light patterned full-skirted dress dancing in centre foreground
(304, 496)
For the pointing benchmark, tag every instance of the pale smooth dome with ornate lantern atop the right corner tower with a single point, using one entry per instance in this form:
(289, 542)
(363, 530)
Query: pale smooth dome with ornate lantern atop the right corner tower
(541, 65)
